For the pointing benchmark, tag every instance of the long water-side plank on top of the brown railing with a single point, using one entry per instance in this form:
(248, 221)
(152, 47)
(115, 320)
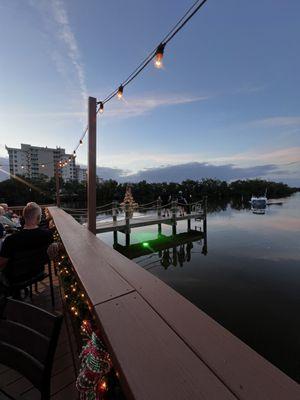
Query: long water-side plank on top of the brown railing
(248, 374)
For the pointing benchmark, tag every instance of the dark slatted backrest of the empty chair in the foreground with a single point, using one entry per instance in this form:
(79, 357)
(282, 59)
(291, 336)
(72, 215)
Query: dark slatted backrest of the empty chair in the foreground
(28, 339)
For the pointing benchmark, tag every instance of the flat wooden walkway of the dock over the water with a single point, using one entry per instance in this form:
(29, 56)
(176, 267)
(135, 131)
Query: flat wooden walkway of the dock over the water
(136, 222)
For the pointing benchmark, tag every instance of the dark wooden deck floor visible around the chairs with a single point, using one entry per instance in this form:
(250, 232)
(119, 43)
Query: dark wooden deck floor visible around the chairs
(13, 385)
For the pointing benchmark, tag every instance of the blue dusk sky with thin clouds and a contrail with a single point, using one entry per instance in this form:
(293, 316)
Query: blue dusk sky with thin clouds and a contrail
(225, 104)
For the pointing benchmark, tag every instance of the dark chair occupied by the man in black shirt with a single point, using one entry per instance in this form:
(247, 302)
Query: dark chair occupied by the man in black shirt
(27, 268)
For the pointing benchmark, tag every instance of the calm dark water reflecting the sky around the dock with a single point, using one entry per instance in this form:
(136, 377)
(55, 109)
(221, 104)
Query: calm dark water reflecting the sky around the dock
(249, 281)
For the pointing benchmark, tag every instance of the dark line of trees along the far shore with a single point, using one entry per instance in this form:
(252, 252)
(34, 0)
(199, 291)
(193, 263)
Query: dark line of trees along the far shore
(20, 191)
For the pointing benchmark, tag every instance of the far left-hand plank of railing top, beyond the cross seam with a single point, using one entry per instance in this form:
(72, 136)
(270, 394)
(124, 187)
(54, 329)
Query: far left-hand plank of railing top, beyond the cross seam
(99, 281)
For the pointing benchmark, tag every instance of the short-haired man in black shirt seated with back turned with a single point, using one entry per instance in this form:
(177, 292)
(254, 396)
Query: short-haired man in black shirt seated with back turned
(32, 238)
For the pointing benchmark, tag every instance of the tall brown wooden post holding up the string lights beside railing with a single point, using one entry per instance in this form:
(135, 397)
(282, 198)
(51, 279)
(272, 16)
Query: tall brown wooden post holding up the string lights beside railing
(91, 195)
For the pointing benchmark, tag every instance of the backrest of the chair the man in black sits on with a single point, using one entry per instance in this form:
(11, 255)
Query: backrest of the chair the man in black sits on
(25, 265)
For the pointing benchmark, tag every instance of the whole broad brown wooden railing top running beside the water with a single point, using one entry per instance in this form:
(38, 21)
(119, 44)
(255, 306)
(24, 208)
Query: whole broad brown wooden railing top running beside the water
(162, 345)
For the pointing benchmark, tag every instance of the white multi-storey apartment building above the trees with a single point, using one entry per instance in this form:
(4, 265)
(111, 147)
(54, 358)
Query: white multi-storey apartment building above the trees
(34, 162)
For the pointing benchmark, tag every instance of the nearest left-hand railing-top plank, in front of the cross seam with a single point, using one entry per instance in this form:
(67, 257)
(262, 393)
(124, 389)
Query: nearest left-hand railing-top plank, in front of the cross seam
(156, 364)
